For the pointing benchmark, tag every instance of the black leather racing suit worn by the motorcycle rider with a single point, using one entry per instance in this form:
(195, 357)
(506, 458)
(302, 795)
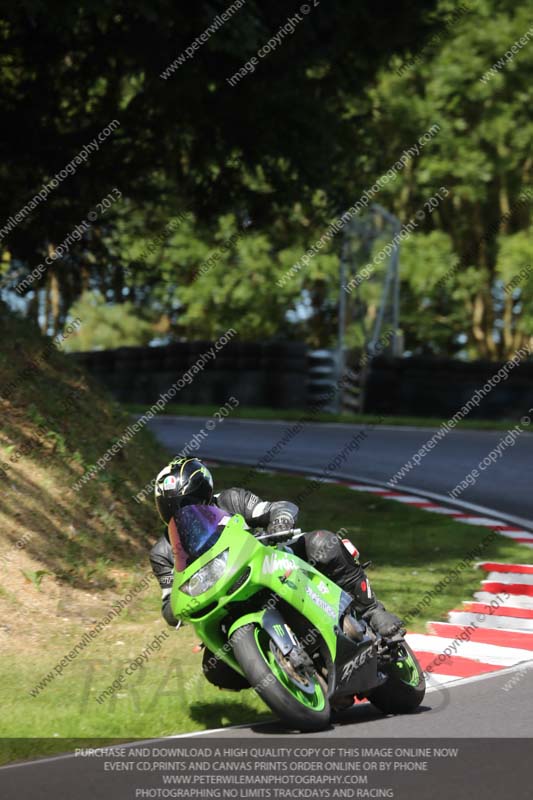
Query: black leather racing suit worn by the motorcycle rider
(323, 549)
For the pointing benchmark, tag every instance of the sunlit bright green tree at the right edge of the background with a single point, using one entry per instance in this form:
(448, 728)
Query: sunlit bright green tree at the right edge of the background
(483, 155)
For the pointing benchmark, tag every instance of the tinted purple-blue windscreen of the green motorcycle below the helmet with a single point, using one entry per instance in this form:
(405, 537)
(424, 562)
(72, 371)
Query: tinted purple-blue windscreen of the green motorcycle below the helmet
(192, 531)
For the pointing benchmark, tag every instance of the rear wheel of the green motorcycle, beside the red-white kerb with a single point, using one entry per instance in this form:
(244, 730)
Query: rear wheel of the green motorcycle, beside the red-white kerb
(405, 687)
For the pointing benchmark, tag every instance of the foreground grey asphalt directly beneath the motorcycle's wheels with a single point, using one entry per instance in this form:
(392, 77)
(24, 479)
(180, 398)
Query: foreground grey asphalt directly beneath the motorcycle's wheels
(454, 713)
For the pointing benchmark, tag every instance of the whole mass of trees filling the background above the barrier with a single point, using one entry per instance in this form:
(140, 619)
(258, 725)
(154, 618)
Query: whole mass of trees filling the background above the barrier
(256, 172)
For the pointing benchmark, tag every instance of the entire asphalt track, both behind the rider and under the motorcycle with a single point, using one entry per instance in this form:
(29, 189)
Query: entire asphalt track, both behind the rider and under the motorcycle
(481, 707)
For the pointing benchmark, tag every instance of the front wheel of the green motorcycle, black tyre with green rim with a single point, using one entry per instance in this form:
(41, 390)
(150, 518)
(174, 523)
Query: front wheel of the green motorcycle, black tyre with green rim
(297, 698)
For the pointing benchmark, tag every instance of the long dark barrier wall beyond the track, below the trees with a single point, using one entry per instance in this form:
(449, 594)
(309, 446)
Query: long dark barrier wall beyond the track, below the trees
(289, 375)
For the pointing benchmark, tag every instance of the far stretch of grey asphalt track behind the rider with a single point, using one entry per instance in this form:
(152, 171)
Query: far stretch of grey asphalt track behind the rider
(506, 486)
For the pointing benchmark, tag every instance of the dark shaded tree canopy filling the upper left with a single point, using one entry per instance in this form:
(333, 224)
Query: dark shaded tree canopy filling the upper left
(187, 141)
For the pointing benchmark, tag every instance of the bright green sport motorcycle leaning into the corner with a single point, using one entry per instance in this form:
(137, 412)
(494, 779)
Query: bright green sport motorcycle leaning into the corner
(282, 624)
